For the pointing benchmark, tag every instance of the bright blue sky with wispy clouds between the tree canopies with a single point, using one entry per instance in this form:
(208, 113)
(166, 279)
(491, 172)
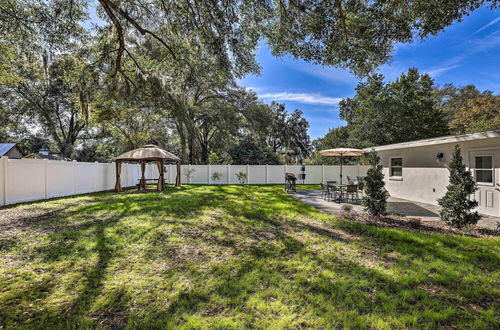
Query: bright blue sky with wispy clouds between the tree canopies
(467, 52)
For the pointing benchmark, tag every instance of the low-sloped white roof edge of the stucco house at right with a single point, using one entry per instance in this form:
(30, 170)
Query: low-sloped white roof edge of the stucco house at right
(439, 140)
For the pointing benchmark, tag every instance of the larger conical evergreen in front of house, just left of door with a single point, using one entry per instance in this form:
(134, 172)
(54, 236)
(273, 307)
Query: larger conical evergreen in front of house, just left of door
(456, 203)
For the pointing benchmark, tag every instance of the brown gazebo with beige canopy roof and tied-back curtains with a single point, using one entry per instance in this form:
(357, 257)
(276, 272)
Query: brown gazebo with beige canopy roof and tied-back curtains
(147, 154)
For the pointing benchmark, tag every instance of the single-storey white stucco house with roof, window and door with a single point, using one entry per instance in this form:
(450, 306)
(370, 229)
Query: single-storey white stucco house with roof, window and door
(417, 170)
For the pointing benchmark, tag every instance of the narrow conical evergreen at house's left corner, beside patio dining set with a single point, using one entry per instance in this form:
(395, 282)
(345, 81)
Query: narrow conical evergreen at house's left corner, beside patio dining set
(375, 201)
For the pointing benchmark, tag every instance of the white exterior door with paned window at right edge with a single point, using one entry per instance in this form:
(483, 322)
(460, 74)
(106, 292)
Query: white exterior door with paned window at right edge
(485, 166)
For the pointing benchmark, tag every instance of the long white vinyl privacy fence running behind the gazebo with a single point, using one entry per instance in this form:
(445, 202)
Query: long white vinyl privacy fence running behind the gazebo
(23, 180)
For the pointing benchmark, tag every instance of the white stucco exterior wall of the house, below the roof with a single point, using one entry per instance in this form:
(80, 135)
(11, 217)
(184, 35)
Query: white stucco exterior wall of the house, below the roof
(424, 179)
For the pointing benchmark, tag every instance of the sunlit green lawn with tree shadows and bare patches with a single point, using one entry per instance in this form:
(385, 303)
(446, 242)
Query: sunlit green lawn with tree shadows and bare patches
(233, 257)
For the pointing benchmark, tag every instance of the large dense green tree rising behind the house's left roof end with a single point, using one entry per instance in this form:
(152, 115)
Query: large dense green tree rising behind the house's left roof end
(383, 113)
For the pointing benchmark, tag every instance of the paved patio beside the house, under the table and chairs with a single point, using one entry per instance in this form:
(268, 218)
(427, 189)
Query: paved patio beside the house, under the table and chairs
(426, 212)
